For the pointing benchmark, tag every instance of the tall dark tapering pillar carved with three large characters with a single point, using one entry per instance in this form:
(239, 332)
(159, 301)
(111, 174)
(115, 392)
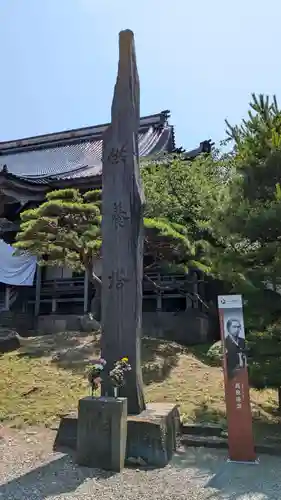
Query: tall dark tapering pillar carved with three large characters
(122, 229)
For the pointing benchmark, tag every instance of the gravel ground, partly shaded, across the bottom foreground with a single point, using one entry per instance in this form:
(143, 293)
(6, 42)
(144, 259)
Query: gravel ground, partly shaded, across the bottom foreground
(29, 470)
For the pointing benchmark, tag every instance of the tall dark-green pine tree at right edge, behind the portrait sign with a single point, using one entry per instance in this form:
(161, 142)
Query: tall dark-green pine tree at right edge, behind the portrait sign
(250, 225)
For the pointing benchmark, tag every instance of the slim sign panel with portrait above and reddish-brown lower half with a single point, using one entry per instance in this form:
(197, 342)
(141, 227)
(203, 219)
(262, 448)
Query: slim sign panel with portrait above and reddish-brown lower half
(237, 396)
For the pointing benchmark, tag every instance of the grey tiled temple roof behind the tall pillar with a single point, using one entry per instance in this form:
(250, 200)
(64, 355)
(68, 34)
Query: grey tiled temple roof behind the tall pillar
(77, 157)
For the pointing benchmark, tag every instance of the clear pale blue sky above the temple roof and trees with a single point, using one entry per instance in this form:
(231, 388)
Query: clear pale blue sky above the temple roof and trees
(200, 59)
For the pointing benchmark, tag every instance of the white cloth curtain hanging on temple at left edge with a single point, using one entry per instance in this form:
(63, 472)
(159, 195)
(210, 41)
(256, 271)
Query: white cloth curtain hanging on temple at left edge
(16, 269)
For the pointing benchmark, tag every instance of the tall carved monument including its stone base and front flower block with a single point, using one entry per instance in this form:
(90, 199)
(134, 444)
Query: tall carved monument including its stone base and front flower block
(111, 428)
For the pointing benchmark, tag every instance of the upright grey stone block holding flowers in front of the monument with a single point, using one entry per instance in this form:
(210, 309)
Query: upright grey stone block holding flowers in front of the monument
(102, 433)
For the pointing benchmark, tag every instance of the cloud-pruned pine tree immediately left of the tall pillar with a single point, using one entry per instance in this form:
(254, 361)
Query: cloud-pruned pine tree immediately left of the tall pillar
(65, 231)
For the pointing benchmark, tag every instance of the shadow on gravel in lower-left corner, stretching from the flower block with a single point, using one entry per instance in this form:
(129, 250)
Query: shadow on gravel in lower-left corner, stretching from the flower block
(61, 476)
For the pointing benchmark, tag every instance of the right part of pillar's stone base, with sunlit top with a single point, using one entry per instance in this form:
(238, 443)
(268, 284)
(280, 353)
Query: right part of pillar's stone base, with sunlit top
(152, 436)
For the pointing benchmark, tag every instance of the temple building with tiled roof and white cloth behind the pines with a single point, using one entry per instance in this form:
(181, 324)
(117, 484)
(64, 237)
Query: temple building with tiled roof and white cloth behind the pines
(32, 167)
